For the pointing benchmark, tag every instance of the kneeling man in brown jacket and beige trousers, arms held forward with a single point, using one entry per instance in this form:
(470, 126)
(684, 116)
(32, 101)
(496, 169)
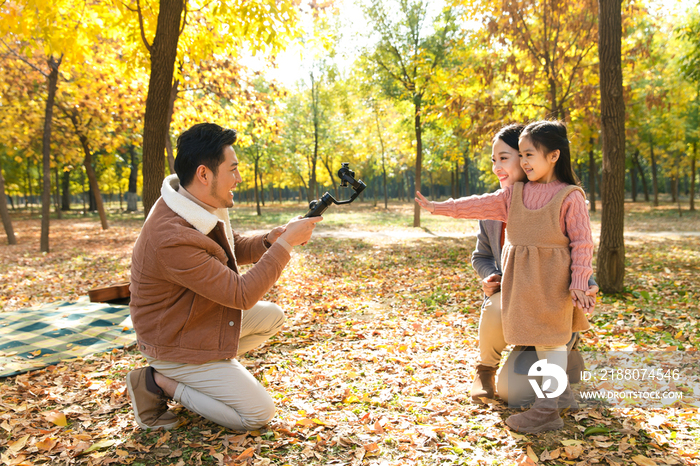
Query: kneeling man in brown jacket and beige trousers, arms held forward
(192, 310)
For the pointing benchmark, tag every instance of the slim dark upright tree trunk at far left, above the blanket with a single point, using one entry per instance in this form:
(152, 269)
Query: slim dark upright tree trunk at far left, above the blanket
(46, 153)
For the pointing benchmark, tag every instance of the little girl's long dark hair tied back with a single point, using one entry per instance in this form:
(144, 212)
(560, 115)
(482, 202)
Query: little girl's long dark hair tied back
(548, 136)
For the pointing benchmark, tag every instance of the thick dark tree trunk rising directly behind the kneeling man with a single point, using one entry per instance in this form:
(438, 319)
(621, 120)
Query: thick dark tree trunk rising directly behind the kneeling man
(160, 84)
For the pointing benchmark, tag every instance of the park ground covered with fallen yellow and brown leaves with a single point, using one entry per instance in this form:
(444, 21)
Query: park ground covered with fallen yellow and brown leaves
(376, 359)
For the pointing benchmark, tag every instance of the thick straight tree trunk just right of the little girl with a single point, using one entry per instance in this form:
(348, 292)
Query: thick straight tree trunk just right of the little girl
(611, 252)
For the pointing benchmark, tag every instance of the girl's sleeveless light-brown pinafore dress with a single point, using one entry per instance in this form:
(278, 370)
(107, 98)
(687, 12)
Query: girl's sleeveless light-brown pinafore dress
(536, 303)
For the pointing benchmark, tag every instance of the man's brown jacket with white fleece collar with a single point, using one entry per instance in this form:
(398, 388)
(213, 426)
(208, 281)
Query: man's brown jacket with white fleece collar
(186, 290)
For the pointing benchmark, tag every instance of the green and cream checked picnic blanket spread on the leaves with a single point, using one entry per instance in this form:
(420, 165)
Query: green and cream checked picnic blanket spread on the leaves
(37, 337)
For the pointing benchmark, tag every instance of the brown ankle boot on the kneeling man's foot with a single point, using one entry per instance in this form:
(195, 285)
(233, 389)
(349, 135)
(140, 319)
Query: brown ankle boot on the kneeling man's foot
(150, 409)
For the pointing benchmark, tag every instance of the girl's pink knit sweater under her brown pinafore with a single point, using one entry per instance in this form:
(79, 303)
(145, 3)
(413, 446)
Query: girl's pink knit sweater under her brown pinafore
(573, 219)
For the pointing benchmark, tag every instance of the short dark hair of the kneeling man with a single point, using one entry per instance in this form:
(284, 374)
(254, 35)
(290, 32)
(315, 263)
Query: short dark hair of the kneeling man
(202, 144)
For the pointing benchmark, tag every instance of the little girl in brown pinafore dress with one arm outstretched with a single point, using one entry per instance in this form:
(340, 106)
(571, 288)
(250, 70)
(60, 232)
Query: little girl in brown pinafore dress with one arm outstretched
(546, 258)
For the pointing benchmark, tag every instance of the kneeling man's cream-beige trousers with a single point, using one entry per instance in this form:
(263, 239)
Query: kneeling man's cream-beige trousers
(223, 391)
